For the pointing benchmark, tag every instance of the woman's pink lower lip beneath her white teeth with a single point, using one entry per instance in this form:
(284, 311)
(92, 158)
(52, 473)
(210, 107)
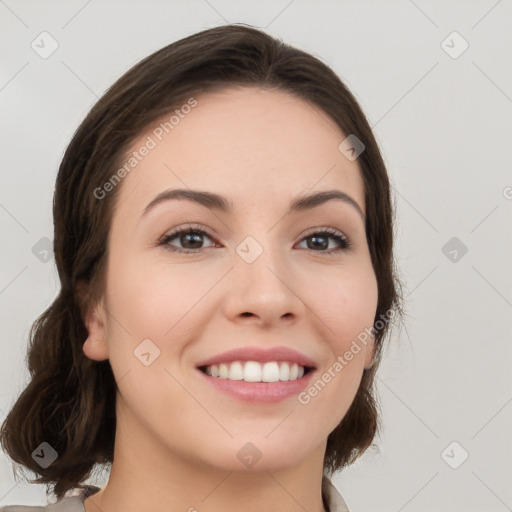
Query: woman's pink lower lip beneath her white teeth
(259, 391)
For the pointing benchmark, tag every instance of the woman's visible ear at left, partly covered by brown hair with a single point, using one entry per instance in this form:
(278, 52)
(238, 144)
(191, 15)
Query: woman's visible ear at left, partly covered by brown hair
(95, 346)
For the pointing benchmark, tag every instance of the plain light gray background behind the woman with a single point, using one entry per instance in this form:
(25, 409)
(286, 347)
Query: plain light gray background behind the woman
(444, 126)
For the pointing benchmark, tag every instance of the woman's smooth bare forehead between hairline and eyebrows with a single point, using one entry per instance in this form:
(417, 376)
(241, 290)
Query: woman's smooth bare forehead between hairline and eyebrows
(248, 144)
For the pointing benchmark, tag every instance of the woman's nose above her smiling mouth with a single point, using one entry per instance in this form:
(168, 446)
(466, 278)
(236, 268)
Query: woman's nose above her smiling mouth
(263, 292)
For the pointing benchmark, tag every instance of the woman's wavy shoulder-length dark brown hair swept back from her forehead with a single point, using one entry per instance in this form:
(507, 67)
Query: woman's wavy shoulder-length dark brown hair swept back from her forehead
(69, 402)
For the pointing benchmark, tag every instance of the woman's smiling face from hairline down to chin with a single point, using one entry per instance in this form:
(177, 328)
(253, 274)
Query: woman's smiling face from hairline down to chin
(256, 276)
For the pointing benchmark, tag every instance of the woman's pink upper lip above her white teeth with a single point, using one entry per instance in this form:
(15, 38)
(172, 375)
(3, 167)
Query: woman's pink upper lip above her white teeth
(260, 355)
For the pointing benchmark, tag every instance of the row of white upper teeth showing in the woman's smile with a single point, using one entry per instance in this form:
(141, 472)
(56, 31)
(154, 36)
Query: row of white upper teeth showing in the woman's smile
(252, 371)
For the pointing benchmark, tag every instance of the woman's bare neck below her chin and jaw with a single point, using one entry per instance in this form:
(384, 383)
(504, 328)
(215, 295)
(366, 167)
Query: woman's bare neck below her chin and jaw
(147, 475)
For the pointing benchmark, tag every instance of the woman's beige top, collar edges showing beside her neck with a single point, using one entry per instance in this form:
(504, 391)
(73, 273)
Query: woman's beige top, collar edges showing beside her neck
(74, 500)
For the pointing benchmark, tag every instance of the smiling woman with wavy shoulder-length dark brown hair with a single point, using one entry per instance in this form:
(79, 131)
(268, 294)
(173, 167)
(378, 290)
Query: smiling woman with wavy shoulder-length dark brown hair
(223, 237)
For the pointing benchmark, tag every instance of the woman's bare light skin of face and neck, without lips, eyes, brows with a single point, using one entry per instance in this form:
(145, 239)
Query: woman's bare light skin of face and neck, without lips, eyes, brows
(177, 437)
